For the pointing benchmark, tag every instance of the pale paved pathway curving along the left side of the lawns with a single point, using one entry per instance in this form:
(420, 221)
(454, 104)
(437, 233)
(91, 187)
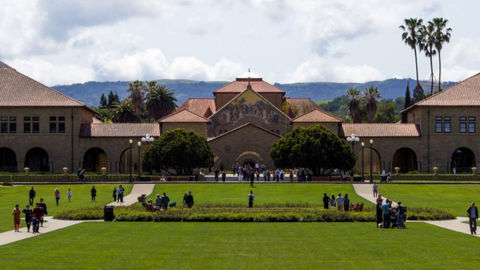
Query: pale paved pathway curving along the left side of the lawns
(56, 224)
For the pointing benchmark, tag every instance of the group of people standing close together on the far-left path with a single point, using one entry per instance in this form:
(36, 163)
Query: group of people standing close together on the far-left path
(33, 217)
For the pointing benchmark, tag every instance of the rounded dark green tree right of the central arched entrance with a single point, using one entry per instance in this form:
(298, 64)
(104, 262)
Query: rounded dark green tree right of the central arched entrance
(315, 148)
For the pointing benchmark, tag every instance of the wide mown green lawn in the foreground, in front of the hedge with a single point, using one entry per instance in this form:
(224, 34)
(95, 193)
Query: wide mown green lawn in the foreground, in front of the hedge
(244, 246)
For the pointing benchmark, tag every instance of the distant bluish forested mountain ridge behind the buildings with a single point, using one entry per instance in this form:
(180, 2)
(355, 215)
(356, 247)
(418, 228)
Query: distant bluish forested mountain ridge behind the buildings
(90, 92)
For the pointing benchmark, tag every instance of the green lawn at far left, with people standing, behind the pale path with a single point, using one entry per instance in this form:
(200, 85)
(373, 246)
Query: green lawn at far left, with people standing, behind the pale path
(9, 196)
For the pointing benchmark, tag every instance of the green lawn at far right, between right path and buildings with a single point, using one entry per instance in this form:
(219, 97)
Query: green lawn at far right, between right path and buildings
(455, 197)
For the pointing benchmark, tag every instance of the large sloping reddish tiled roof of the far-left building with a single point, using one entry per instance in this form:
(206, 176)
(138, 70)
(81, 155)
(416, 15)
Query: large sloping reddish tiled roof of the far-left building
(18, 90)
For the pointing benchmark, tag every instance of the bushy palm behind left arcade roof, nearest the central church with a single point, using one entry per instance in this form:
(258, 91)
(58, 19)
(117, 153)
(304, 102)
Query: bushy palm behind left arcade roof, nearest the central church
(160, 100)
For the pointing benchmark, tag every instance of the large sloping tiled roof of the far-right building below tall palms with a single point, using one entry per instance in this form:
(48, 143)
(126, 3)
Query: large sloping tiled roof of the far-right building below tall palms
(465, 93)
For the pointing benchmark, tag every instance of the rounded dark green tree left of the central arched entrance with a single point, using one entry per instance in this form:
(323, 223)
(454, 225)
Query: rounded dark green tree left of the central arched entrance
(179, 150)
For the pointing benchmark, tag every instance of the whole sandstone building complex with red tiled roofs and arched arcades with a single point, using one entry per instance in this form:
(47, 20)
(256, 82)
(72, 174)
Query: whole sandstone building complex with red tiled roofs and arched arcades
(45, 130)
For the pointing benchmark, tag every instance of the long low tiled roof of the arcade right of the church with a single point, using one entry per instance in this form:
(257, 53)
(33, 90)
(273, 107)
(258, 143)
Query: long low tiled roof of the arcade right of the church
(381, 129)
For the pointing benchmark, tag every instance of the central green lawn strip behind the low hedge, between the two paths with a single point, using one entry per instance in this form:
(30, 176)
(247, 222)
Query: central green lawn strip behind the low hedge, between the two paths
(264, 193)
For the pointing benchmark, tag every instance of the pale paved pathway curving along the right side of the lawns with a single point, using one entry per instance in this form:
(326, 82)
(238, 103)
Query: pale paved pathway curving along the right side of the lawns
(366, 191)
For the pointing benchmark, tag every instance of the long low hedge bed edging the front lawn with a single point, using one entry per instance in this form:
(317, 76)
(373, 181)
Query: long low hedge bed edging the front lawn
(201, 214)
